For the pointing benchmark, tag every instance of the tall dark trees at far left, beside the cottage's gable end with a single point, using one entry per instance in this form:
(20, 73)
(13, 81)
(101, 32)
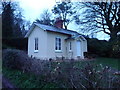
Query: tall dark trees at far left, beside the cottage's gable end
(13, 26)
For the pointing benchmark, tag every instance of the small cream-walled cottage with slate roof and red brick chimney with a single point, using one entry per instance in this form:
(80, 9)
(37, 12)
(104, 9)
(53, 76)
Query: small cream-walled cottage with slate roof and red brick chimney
(47, 42)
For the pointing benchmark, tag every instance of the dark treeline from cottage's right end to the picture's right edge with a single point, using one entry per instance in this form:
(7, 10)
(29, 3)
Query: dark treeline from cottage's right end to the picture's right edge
(102, 48)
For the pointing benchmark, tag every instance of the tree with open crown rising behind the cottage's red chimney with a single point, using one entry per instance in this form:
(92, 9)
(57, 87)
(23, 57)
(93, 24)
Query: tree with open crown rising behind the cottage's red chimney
(66, 11)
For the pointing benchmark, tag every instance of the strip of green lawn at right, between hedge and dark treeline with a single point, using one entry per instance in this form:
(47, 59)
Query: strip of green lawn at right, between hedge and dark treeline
(112, 62)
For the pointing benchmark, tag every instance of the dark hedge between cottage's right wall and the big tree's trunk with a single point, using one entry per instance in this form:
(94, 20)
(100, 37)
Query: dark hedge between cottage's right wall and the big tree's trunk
(99, 47)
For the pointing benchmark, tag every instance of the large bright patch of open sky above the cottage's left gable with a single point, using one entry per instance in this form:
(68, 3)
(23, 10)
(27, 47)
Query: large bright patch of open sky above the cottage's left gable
(33, 8)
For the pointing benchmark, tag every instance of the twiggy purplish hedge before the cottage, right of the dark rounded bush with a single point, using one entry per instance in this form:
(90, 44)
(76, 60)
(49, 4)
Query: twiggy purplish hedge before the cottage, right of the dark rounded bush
(68, 75)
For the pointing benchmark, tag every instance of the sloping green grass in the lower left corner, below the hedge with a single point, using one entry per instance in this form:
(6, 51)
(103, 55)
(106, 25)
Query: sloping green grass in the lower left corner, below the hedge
(24, 80)
